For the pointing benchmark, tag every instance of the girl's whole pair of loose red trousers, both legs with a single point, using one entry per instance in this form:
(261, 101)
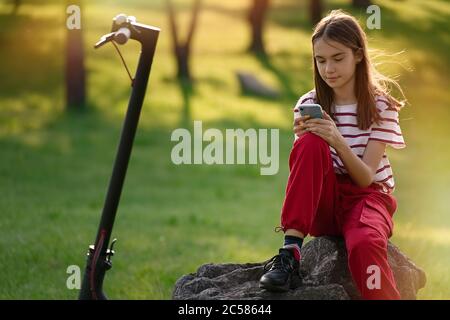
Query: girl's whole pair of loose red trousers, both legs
(319, 202)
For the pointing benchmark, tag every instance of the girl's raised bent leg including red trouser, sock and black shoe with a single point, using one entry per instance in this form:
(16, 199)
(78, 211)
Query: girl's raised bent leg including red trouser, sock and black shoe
(309, 206)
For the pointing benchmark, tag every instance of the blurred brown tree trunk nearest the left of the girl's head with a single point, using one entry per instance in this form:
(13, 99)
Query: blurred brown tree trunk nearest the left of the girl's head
(256, 17)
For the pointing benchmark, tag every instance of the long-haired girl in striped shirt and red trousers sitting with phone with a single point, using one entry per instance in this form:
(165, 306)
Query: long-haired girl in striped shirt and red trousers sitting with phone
(340, 180)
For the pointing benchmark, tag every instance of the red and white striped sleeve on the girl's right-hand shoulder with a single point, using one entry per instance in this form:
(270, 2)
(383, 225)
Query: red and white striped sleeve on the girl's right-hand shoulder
(388, 130)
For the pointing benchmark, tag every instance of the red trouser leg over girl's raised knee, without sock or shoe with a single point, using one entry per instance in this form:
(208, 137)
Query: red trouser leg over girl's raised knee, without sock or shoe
(311, 200)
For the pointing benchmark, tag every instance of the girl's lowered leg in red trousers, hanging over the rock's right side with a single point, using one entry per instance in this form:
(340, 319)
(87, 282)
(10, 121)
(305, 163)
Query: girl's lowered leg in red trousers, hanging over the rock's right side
(366, 230)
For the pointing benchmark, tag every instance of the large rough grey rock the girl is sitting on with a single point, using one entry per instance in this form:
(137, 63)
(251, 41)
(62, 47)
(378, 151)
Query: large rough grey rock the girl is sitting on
(323, 272)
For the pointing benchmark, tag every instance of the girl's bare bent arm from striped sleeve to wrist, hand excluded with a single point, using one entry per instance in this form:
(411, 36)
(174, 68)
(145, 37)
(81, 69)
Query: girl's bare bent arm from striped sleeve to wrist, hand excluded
(362, 171)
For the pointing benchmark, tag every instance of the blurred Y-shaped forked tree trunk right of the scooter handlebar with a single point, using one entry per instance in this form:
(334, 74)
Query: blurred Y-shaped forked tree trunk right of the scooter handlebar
(182, 50)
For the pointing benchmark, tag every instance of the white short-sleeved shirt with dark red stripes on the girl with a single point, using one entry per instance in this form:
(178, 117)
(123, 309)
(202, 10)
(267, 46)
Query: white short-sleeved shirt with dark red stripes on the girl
(388, 131)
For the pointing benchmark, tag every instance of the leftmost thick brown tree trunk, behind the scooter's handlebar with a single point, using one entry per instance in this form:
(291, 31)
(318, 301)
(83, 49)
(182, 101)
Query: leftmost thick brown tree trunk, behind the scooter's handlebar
(75, 74)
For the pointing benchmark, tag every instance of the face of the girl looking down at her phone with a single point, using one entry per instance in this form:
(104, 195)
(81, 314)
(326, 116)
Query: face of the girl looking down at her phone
(336, 63)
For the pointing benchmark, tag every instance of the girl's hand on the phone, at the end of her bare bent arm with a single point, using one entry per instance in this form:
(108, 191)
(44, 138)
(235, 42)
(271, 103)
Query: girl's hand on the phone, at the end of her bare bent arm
(326, 129)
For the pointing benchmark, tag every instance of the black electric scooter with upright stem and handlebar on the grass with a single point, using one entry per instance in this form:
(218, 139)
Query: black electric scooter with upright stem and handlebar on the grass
(99, 255)
